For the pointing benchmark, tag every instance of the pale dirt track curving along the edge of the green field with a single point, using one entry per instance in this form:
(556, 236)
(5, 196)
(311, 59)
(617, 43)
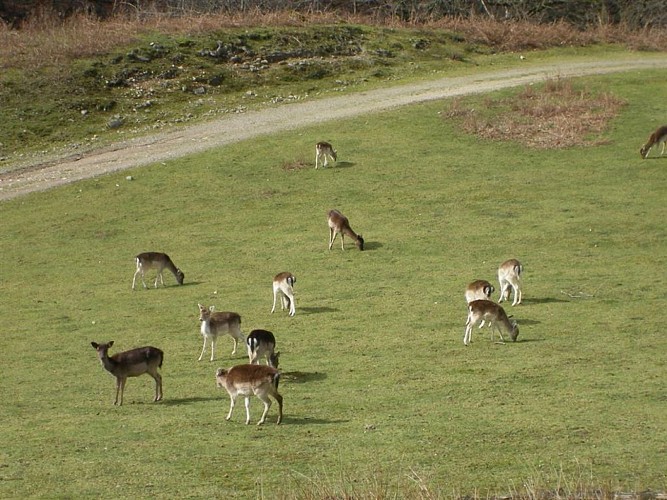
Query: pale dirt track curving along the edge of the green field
(185, 141)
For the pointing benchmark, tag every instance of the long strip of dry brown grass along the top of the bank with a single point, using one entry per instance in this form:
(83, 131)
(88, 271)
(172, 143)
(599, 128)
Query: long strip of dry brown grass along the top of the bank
(45, 39)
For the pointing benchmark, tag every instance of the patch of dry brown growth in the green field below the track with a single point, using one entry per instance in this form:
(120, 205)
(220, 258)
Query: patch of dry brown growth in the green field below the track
(555, 116)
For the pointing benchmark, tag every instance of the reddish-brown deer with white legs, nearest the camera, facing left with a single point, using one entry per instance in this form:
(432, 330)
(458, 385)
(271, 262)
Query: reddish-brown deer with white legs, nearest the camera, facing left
(260, 380)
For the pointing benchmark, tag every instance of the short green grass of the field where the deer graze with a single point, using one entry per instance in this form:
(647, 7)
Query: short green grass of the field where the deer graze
(382, 399)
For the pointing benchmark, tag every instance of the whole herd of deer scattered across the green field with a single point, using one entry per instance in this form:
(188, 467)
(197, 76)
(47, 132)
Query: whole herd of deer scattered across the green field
(262, 380)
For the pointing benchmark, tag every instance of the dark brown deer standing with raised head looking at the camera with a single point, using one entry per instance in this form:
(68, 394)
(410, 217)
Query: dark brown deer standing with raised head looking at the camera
(131, 363)
